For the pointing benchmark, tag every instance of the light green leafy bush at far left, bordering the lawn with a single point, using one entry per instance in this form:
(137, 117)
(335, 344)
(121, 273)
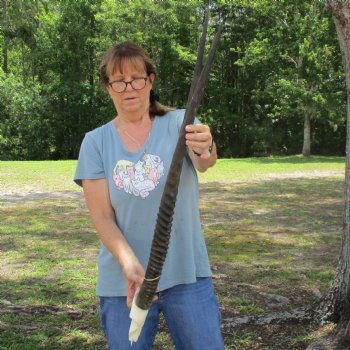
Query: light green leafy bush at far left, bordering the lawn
(24, 122)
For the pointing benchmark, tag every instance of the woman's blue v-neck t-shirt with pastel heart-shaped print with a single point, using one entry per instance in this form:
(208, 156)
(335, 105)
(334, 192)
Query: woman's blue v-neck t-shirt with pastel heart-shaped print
(136, 181)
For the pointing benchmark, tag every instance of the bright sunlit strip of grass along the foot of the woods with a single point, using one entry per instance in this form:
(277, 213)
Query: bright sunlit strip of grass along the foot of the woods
(48, 176)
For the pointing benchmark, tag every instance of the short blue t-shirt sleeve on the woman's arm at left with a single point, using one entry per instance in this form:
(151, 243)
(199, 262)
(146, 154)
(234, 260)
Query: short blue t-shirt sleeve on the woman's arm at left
(90, 164)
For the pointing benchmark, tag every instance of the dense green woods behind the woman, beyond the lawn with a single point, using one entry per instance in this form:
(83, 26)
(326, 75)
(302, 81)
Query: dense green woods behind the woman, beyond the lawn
(277, 85)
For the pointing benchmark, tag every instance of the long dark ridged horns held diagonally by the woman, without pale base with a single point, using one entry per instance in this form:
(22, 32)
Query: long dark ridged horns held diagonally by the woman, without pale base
(162, 230)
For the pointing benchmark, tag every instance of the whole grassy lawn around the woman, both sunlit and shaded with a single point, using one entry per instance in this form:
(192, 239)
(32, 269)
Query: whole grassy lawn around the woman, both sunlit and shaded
(272, 226)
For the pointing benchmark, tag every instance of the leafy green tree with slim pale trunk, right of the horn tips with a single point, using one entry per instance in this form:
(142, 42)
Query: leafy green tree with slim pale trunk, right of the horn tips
(292, 65)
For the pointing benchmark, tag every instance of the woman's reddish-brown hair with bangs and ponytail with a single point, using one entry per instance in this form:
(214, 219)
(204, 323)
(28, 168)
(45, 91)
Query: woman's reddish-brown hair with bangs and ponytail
(125, 52)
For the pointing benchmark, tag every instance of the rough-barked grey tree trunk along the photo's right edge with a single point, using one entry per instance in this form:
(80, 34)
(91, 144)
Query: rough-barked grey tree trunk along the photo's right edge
(336, 305)
